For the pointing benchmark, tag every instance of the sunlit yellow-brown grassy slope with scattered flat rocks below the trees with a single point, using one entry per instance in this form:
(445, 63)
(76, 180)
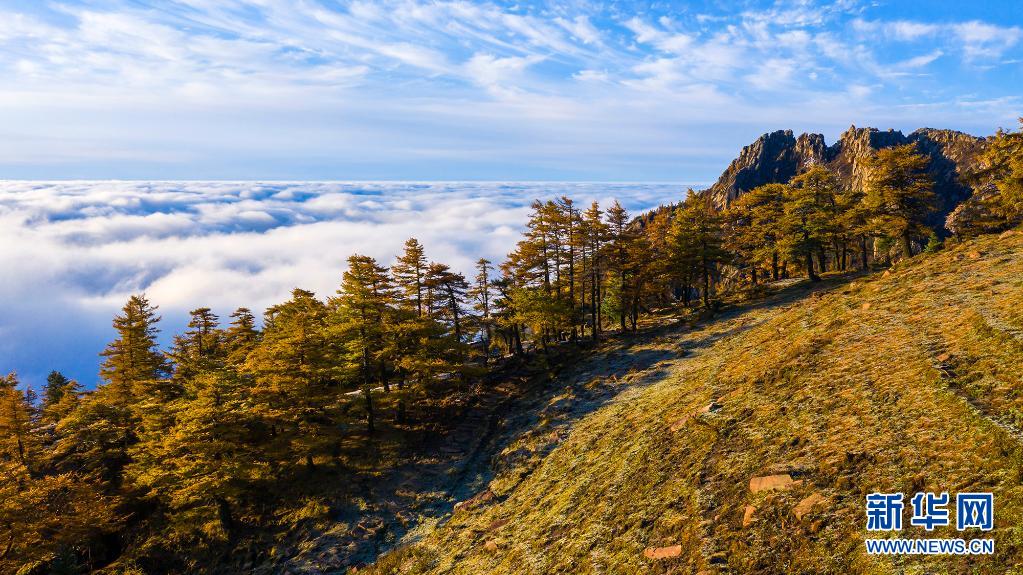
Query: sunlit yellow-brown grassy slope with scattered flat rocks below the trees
(906, 381)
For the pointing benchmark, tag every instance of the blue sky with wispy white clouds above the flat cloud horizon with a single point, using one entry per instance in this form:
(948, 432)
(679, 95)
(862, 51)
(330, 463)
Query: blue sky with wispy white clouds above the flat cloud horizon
(408, 90)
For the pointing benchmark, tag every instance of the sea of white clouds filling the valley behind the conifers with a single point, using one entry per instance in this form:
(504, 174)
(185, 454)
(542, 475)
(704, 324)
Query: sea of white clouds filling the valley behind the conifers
(71, 253)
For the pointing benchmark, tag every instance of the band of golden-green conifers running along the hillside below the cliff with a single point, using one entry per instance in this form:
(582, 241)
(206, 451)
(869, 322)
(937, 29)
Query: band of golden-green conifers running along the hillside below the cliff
(177, 450)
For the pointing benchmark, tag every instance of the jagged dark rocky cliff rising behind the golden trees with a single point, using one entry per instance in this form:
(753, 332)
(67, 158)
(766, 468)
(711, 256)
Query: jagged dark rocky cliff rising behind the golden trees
(778, 157)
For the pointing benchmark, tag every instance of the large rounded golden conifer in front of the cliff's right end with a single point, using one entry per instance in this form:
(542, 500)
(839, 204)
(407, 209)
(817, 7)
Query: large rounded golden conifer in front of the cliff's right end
(900, 195)
